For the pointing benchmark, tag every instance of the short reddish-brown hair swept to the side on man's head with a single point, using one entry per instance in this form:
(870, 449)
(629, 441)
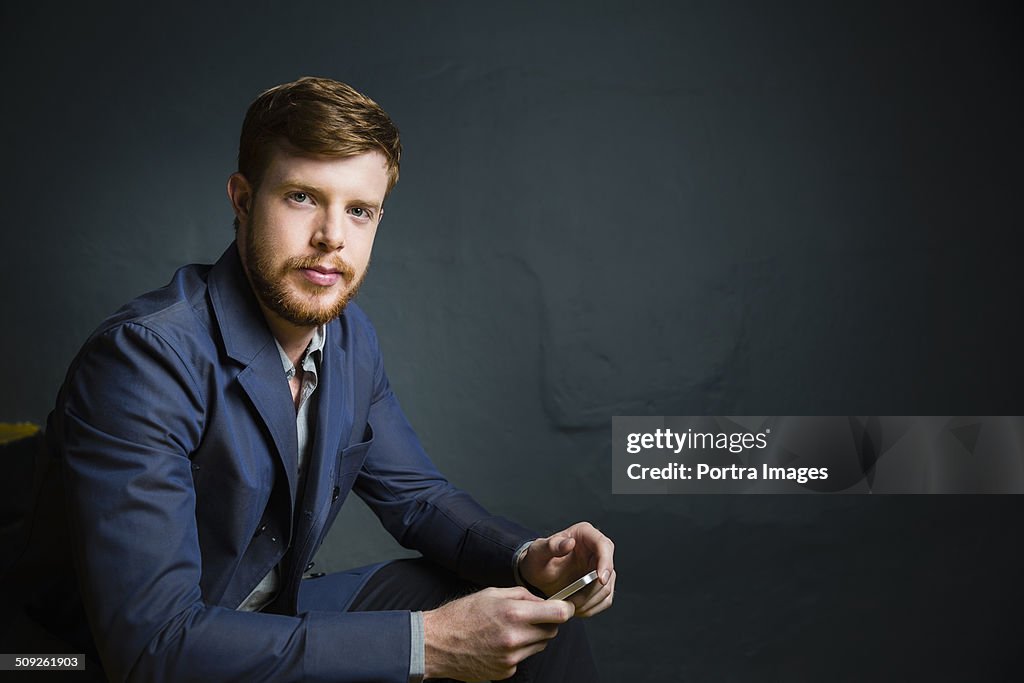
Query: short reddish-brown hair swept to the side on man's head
(317, 116)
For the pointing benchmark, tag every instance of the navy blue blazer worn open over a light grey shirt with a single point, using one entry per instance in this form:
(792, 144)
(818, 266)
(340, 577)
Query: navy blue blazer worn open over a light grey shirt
(176, 431)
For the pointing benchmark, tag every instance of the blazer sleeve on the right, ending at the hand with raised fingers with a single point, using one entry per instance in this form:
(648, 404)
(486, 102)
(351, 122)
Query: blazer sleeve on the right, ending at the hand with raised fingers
(419, 507)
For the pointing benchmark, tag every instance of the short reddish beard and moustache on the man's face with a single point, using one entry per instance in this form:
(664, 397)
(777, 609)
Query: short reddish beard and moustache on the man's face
(308, 305)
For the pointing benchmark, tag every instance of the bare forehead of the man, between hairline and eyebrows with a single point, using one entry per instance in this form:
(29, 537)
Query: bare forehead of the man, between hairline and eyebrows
(364, 176)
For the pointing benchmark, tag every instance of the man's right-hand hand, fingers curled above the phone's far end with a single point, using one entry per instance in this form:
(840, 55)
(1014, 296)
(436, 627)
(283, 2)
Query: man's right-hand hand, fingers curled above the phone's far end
(553, 563)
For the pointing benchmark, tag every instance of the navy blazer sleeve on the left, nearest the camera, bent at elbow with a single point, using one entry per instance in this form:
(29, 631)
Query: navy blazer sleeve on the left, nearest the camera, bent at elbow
(130, 416)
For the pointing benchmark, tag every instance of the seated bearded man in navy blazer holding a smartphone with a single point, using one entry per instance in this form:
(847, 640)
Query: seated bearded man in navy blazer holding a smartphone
(208, 434)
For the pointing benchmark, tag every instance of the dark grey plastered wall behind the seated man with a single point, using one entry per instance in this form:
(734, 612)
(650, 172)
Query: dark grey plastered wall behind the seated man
(606, 208)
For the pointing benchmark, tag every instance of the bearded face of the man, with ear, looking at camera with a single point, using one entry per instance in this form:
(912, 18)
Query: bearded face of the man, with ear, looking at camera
(307, 234)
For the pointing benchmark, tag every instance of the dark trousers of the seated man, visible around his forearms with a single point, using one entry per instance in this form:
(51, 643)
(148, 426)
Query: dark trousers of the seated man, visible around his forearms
(421, 585)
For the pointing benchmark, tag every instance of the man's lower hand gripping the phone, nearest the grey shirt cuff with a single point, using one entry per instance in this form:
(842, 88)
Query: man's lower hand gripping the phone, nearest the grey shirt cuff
(486, 635)
